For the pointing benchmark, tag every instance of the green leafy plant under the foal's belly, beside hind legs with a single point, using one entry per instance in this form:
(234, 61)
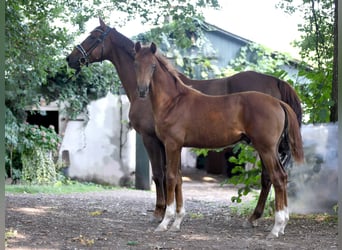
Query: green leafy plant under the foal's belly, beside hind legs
(249, 178)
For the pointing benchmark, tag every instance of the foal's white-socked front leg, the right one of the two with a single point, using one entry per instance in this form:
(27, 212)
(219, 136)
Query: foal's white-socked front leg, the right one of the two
(180, 211)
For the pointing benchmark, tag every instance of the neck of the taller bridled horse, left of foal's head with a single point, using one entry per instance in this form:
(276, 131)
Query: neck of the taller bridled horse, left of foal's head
(124, 65)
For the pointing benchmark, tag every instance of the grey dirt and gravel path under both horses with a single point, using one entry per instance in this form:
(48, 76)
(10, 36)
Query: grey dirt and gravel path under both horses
(120, 219)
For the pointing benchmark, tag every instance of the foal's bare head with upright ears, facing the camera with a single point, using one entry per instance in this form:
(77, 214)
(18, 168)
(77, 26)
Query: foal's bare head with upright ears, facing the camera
(145, 65)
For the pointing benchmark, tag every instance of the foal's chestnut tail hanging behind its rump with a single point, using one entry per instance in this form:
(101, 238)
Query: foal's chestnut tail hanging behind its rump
(292, 132)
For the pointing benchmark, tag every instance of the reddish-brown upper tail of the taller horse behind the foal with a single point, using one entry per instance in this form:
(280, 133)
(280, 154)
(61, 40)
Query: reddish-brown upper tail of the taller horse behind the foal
(289, 95)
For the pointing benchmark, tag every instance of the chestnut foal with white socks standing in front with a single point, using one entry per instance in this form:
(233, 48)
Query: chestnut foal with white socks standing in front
(185, 117)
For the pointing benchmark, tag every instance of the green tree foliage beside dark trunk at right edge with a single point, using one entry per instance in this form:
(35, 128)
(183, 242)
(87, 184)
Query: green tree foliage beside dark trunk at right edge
(317, 50)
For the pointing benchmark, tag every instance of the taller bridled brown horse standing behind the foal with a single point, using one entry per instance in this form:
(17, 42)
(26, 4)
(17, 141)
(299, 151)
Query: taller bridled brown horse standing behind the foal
(105, 43)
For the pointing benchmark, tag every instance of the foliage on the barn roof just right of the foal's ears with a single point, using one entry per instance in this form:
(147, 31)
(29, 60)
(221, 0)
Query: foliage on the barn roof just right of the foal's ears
(192, 52)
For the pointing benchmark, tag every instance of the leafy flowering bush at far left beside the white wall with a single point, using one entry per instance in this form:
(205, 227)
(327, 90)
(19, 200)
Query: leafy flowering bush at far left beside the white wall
(30, 151)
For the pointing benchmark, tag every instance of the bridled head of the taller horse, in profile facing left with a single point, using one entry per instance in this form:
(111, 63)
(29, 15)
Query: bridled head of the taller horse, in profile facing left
(92, 49)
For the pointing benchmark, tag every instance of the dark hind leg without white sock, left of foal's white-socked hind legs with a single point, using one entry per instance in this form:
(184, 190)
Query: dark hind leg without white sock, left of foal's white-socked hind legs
(265, 189)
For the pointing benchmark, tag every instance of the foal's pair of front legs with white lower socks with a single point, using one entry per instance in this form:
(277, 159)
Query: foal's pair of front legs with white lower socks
(173, 153)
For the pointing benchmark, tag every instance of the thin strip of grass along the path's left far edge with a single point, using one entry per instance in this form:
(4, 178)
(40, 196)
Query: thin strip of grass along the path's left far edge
(57, 188)
